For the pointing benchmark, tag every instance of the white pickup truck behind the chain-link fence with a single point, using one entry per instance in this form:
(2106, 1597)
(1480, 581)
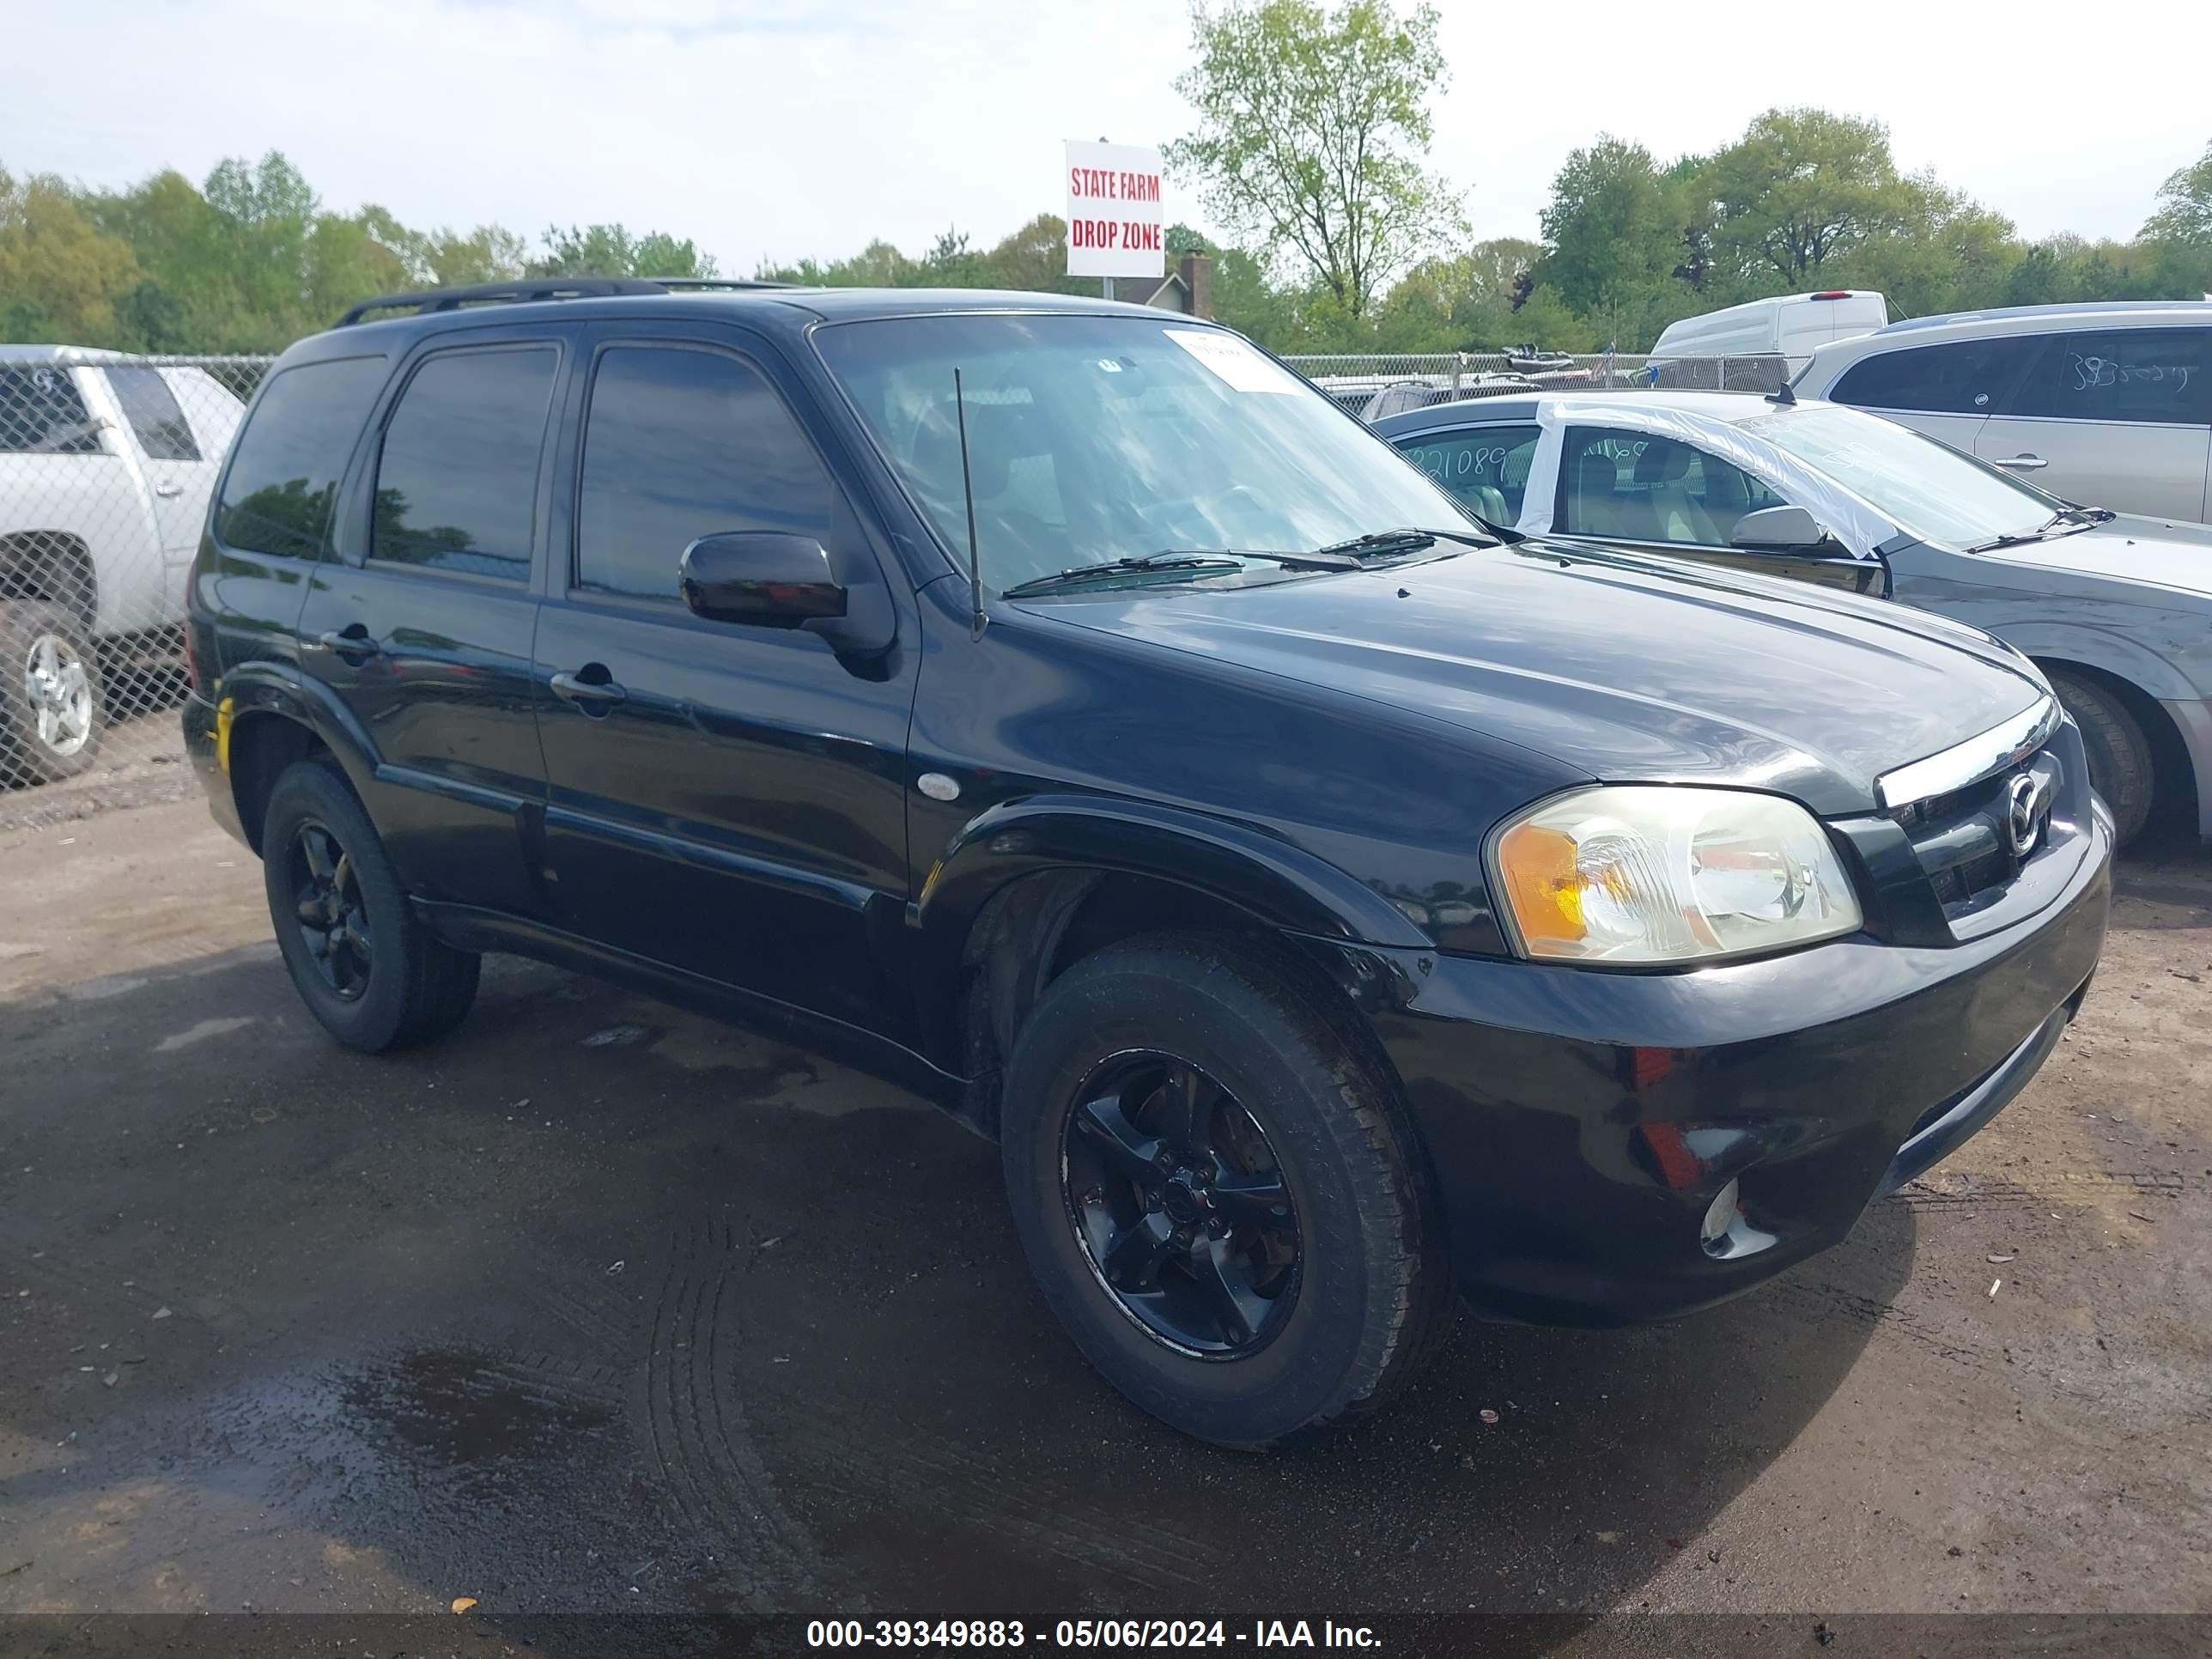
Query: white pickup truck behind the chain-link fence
(105, 477)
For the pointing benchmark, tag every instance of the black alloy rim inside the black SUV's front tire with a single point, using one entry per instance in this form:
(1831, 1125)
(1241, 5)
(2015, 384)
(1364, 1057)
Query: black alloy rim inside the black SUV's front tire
(1180, 1204)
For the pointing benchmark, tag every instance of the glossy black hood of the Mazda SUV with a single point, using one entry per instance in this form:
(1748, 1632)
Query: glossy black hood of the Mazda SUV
(1618, 665)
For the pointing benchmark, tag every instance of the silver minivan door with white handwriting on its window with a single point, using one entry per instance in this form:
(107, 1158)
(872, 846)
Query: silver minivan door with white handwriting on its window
(2114, 419)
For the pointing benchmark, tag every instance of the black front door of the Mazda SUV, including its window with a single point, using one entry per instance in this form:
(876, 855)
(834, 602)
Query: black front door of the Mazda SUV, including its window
(724, 800)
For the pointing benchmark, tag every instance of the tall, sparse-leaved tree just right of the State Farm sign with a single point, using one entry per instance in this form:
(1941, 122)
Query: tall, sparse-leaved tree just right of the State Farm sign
(1313, 136)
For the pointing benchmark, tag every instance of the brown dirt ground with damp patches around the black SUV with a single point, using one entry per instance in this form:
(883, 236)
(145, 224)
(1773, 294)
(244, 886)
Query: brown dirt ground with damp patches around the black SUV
(603, 1308)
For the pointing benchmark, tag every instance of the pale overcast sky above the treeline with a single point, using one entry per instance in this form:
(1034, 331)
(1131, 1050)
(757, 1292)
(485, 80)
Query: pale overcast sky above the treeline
(771, 132)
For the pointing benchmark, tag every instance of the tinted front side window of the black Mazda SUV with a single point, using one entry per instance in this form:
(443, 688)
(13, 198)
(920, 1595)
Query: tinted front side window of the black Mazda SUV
(685, 444)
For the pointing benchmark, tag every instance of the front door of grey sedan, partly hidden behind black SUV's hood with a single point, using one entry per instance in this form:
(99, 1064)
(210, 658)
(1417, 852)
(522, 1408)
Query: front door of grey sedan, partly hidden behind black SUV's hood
(1645, 490)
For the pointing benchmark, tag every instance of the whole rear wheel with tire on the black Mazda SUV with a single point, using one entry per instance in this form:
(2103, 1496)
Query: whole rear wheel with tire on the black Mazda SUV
(359, 957)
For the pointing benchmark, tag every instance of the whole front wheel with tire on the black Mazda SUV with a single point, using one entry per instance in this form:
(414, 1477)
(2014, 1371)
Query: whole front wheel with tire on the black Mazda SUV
(1220, 1193)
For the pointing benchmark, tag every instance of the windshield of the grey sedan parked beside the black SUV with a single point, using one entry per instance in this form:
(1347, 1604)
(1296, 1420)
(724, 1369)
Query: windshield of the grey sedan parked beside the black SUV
(1921, 486)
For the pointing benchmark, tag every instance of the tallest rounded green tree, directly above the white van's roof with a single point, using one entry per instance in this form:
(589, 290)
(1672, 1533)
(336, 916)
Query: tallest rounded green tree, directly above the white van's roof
(1799, 189)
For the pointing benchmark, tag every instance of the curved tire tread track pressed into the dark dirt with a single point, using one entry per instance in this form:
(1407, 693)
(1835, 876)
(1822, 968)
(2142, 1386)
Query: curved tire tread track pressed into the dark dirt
(698, 1432)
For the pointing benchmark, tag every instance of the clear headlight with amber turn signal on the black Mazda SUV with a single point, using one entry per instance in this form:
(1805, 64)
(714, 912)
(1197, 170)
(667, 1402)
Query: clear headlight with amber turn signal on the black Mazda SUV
(1638, 875)
